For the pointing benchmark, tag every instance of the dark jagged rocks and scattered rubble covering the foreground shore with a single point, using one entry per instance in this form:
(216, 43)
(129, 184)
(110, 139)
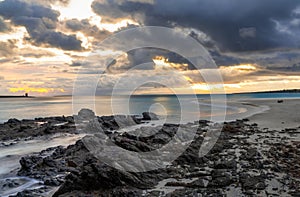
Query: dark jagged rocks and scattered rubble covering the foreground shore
(245, 161)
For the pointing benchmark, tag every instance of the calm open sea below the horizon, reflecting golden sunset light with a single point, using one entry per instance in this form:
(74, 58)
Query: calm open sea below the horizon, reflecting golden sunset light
(29, 108)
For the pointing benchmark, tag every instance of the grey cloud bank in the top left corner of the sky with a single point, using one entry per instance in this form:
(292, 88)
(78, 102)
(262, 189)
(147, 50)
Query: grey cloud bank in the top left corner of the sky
(40, 23)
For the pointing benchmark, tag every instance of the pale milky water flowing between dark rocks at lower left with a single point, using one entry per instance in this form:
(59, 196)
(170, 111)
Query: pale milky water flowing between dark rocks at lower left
(10, 156)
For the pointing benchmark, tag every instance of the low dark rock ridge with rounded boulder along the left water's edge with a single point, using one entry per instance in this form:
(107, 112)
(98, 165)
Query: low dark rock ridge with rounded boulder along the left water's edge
(15, 129)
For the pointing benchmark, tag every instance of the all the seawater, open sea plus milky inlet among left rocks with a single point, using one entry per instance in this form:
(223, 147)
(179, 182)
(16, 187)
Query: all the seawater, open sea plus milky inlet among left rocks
(171, 108)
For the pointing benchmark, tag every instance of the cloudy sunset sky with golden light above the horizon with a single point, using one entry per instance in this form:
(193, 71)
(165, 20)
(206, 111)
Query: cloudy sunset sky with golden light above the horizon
(44, 44)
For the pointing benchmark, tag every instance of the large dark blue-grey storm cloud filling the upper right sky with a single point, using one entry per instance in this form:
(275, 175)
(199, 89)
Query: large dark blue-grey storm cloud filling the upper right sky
(236, 25)
